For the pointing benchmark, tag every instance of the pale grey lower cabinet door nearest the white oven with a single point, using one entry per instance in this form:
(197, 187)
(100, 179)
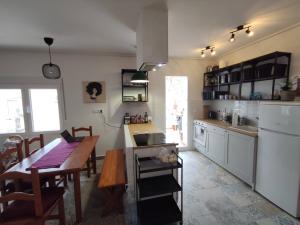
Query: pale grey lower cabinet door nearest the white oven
(216, 146)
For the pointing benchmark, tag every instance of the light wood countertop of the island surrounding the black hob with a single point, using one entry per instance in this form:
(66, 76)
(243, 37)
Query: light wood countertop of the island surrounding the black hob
(145, 128)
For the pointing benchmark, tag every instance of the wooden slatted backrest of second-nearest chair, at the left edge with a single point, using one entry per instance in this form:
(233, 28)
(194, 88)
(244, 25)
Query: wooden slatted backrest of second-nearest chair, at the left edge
(10, 156)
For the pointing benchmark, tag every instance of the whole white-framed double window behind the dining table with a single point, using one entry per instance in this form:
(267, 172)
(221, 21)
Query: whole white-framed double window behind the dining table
(29, 108)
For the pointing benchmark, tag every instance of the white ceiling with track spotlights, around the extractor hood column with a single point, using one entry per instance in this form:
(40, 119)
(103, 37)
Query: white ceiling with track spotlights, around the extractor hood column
(109, 26)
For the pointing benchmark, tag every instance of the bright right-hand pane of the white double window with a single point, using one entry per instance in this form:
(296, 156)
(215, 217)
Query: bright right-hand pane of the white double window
(44, 110)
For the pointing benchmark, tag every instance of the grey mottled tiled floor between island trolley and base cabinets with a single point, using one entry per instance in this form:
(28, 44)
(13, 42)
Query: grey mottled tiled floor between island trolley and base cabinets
(212, 196)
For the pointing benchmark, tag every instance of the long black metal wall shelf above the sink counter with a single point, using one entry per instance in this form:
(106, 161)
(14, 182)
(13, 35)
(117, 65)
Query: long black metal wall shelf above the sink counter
(249, 72)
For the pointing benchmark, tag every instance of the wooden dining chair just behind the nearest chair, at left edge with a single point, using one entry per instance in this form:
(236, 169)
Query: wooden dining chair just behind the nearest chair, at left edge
(8, 158)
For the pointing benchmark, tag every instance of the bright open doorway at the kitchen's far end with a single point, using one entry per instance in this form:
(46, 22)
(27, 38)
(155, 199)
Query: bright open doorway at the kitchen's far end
(176, 109)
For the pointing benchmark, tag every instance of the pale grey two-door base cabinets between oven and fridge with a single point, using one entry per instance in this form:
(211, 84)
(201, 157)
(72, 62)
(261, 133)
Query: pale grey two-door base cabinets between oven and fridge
(234, 151)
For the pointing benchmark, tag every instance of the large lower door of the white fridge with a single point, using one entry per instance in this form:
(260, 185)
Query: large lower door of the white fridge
(278, 169)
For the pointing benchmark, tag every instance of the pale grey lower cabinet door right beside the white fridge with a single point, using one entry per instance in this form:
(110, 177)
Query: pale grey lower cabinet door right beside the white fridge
(240, 156)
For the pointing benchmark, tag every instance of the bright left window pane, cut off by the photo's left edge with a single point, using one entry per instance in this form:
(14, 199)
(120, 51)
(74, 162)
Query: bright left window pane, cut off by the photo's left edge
(11, 111)
